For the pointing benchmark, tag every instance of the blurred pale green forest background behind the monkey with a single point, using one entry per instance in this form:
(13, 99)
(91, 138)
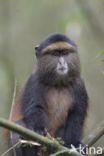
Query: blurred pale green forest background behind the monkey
(24, 23)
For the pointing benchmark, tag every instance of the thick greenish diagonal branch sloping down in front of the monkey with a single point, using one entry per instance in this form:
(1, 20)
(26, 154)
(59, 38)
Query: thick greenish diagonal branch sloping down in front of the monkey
(28, 134)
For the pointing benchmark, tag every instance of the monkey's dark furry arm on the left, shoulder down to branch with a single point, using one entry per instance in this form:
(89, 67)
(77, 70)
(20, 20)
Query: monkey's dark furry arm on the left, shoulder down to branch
(34, 107)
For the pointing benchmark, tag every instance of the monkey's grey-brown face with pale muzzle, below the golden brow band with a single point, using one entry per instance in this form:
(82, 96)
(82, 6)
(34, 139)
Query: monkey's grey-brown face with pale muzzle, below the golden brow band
(59, 65)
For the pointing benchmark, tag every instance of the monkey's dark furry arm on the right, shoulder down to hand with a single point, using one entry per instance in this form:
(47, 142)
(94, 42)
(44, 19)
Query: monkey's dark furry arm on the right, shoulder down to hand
(77, 117)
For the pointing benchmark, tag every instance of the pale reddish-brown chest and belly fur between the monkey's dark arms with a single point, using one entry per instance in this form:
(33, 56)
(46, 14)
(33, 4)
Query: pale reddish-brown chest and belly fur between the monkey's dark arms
(59, 103)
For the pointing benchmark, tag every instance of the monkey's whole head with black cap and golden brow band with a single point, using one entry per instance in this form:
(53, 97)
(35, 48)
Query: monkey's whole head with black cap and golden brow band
(58, 59)
